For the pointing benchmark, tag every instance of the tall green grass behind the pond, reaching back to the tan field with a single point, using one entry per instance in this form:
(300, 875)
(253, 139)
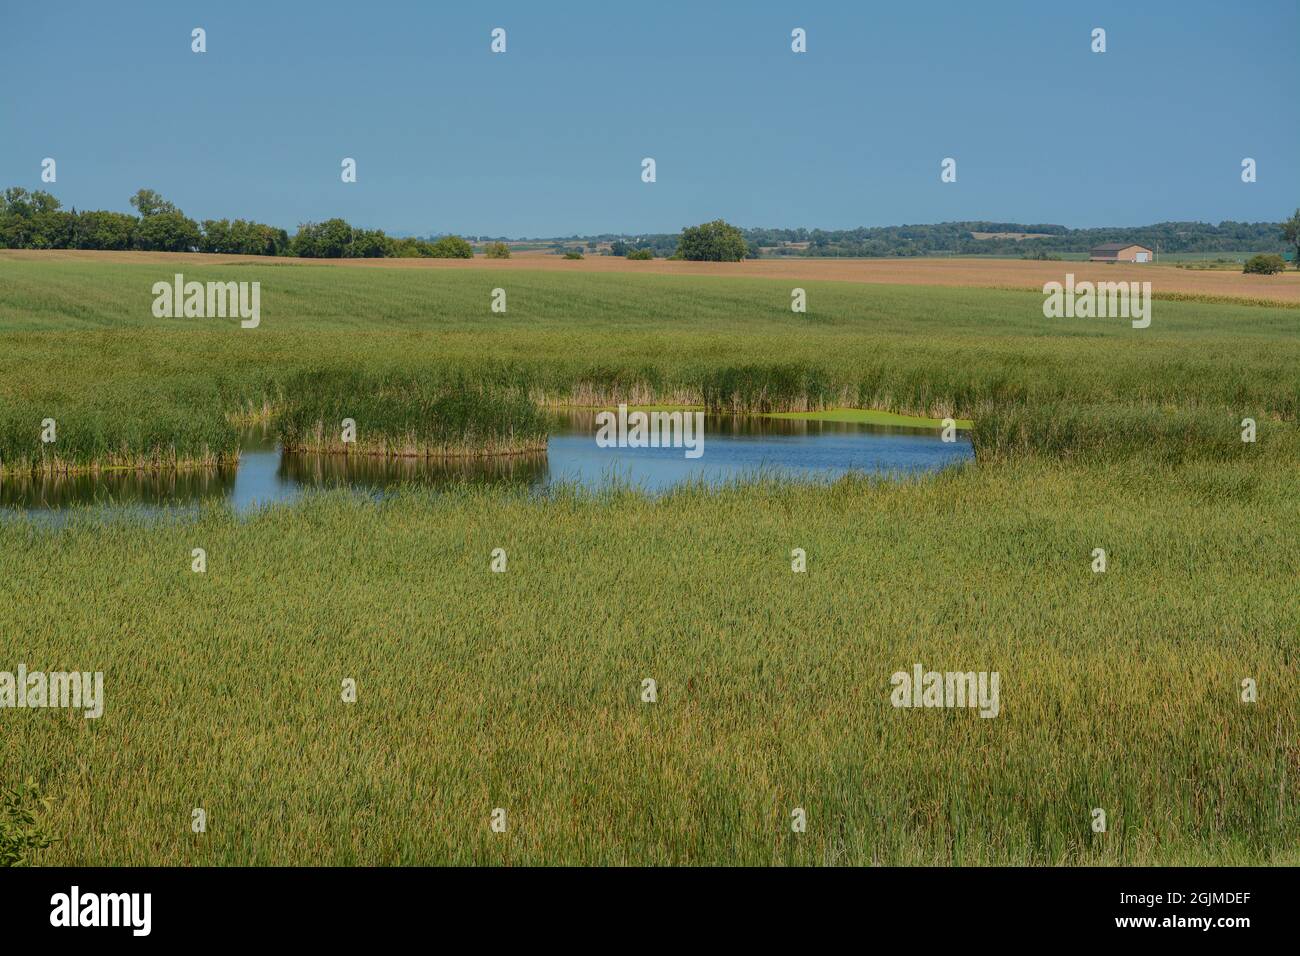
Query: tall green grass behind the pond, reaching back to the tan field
(81, 341)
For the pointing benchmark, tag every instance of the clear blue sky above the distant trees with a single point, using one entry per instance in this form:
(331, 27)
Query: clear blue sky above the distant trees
(548, 139)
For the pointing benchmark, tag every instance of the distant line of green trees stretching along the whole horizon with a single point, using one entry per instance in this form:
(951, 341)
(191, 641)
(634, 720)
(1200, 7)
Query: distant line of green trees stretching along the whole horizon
(37, 220)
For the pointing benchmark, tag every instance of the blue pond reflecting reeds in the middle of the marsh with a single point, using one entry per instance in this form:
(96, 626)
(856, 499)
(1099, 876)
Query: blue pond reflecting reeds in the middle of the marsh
(734, 447)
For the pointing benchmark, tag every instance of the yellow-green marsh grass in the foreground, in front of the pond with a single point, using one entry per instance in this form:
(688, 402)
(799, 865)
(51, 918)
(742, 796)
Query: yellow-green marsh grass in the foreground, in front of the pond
(522, 690)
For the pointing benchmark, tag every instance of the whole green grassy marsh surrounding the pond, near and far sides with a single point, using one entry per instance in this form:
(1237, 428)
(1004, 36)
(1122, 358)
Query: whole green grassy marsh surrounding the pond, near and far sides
(522, 691)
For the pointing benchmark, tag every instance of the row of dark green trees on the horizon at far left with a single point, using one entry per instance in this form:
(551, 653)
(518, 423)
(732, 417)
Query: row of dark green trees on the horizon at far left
(37, 220)
